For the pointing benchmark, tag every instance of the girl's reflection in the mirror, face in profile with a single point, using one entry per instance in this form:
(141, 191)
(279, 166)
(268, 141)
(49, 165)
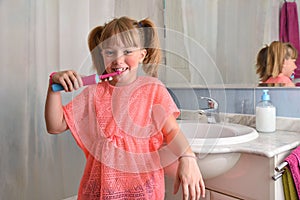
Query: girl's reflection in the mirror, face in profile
(281, 60)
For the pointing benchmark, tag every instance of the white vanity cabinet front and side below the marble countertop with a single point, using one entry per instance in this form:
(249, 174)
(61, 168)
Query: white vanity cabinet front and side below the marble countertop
(250, 178)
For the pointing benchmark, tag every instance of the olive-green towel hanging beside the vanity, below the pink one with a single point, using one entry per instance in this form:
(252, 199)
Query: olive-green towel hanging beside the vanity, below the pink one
(288, 185)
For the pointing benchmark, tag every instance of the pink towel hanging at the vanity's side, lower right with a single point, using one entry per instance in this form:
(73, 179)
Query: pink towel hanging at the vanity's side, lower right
(294, 164)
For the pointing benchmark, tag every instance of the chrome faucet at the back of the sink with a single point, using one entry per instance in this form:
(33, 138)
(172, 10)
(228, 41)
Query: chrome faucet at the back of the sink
(212, 112)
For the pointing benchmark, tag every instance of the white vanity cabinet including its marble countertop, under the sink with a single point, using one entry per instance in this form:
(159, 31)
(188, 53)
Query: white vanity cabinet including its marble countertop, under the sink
(251, 177)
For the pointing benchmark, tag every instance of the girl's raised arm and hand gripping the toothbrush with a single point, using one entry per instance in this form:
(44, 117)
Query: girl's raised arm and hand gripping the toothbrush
(54, 116)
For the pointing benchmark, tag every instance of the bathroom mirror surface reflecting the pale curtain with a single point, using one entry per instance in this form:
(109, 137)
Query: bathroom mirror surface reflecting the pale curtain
(218, 40)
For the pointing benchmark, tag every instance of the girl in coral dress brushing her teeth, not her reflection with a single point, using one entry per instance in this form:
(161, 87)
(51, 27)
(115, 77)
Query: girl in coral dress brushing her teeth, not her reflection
(126, 127)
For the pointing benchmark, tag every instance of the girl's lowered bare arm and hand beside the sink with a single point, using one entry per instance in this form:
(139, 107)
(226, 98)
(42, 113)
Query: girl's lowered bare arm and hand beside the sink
(188, 173)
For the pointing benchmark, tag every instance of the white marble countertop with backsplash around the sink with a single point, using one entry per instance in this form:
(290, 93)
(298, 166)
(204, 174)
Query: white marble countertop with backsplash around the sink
(285, 138)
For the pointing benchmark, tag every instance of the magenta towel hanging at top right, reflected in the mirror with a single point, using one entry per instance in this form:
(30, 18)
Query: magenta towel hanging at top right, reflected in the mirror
(289, 29)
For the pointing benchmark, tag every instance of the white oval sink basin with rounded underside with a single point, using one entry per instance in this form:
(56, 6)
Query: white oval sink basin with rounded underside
(212, 142)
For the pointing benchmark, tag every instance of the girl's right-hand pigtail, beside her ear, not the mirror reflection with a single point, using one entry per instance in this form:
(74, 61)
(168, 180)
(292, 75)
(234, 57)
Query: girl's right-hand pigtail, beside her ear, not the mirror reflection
(151, 43)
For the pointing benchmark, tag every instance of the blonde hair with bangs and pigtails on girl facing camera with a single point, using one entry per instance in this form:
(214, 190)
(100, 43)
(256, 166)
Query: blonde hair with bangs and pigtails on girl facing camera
(130, 32)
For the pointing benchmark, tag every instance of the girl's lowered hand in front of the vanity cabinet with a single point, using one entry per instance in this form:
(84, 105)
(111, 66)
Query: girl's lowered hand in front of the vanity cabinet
(189, 176)
